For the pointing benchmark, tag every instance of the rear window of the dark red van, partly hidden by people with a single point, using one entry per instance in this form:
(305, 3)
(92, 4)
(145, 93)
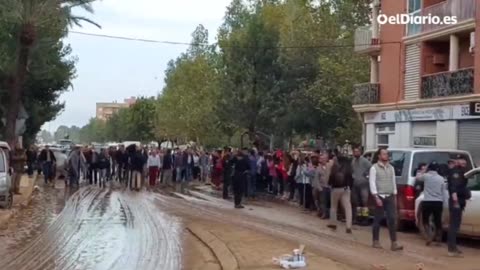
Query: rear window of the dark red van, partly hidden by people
(440, 158)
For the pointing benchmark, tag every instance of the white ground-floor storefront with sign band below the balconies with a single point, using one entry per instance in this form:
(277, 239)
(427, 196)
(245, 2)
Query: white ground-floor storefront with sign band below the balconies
(448, 127)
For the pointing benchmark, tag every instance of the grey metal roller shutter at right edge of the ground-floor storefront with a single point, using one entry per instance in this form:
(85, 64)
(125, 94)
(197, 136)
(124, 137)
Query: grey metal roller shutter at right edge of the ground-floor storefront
(469, 138)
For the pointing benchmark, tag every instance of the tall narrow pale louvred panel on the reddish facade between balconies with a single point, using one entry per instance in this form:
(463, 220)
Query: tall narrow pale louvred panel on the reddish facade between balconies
(412, 72)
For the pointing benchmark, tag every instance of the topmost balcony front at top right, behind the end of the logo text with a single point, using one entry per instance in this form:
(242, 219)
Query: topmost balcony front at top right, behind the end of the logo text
(462, 9)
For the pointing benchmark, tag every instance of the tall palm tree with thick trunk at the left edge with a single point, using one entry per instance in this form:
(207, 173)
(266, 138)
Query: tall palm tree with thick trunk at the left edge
(29, 17)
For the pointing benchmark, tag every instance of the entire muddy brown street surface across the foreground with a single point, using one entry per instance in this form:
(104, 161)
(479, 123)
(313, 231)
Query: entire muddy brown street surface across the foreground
(114, 228)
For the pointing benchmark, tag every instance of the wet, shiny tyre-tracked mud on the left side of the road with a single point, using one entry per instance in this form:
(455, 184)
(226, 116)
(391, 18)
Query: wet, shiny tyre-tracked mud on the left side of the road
(104, 229)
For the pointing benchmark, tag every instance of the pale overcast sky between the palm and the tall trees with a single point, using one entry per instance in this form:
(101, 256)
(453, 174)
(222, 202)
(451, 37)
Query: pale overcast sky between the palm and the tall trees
(111, 70)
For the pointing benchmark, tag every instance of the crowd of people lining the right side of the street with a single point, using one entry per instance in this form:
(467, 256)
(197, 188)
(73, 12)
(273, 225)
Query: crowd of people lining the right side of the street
(324, 180)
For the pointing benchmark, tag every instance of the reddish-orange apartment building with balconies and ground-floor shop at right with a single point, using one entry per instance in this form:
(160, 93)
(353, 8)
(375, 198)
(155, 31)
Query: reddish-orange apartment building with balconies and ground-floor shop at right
(424, 88)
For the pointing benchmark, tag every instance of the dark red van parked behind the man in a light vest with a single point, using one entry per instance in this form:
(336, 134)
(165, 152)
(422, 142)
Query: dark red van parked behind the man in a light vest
(406, 162)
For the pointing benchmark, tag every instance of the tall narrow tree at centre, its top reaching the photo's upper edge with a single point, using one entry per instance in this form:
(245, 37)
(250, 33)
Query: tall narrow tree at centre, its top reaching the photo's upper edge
(251, 96)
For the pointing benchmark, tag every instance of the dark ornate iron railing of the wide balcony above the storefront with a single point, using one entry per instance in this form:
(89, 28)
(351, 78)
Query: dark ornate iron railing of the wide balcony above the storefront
(447, 84)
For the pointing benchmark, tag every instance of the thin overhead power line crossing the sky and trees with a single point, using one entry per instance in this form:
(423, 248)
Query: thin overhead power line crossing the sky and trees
(226, 46)
